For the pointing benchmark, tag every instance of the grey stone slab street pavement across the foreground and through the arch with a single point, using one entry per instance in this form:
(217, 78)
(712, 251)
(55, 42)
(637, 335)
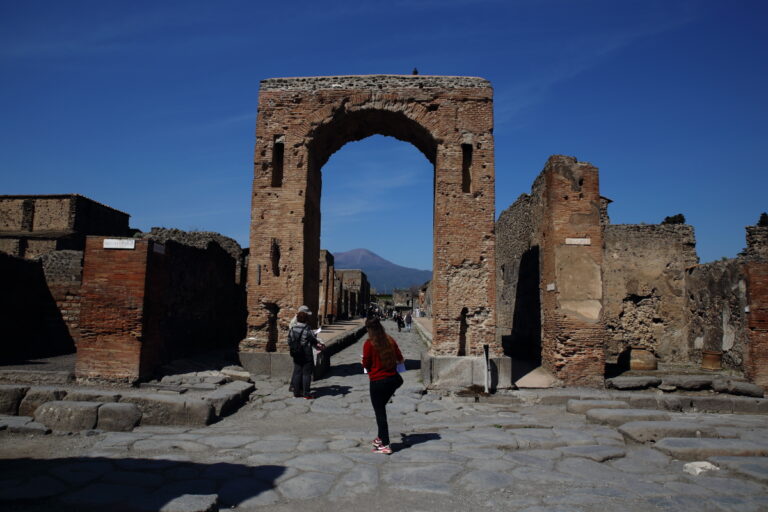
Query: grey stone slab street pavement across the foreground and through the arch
(280, 453)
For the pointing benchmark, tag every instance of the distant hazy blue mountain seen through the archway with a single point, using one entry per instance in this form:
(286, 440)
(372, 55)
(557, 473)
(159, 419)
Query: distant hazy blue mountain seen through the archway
(382, 274)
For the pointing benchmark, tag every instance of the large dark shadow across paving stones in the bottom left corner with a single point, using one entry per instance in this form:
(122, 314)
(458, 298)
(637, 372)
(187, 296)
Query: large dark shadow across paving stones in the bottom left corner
(130, 484)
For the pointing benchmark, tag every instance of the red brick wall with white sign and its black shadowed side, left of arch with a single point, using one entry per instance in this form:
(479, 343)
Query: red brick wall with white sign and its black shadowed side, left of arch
(144, 306)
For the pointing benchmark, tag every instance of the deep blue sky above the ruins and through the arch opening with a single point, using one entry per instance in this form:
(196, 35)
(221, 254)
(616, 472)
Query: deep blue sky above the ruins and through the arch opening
(150, 106)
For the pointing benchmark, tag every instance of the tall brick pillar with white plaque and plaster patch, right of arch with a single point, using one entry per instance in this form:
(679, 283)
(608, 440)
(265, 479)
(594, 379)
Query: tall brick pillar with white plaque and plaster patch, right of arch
(573, 335)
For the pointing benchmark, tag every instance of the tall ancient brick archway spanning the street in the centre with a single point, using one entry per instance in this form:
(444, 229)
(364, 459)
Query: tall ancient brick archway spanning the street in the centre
(302, 122)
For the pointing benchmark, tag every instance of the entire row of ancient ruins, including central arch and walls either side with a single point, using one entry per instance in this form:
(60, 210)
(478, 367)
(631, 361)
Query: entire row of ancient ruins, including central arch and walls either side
(552, 284)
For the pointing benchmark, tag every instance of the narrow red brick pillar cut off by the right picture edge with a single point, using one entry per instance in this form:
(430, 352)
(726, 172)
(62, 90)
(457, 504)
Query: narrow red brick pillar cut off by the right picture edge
(756, 364)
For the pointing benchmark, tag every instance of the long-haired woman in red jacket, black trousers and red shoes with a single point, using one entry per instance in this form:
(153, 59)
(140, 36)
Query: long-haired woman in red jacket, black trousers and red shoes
(380, 358)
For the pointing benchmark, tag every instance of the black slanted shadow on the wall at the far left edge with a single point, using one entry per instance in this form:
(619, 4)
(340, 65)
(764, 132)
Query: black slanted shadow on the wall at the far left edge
(31, 324)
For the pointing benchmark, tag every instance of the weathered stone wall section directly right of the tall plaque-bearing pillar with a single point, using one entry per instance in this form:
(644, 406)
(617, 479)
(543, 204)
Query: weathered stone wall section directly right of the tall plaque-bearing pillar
(644, 272)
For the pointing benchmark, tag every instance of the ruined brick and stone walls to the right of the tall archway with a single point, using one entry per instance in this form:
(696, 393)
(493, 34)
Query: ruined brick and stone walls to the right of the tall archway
(577, 294)
